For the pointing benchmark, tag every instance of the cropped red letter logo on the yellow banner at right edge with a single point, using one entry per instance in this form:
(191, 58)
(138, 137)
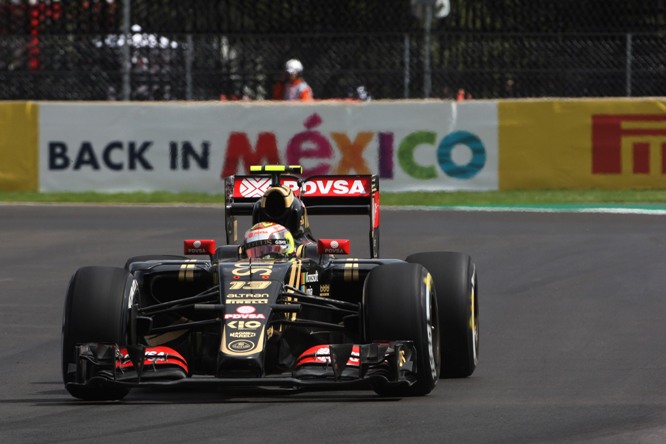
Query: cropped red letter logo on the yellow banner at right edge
(642, 135)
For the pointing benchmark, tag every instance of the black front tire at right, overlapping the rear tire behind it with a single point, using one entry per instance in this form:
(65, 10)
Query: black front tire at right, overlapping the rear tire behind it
(399, 304)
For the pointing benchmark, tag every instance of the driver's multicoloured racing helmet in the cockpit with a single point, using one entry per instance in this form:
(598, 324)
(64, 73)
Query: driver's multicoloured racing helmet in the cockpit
(268, 239)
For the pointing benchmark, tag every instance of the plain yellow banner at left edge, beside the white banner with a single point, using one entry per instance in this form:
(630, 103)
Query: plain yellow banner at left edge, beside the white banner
(18, 146)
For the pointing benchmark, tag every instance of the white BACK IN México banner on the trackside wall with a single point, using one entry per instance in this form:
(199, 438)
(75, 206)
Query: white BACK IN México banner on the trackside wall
(115, 147)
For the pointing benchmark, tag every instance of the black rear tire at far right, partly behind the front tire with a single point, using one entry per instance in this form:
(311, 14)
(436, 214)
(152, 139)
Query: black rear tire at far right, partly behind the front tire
(457, 298)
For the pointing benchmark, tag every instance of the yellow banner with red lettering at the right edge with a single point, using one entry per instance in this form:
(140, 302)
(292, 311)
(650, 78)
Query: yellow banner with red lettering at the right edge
(586, 143)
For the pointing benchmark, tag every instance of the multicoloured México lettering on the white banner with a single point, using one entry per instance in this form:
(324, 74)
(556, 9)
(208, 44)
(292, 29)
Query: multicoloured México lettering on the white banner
(313, 145)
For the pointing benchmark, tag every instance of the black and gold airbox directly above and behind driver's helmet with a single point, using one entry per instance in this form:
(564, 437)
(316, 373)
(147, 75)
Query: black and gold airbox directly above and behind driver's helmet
(279, 205)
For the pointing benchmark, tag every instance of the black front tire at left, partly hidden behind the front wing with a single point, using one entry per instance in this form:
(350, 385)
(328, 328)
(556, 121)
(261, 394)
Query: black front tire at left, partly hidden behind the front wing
(96, 310)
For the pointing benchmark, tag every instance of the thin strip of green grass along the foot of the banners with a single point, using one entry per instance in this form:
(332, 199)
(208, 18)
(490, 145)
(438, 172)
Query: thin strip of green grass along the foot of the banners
(435, 198)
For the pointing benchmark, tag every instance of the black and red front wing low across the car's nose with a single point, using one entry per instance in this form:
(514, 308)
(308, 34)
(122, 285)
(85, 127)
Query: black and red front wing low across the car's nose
(334, 366)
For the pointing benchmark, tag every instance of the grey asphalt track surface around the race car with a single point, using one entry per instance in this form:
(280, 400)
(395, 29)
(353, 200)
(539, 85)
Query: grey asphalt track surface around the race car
(573, 333)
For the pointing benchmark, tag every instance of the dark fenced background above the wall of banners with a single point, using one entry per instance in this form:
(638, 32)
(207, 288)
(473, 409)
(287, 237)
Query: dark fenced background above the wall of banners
(395, 49)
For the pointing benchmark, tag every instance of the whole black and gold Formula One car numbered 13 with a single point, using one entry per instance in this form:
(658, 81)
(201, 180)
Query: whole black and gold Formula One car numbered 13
(279, 309)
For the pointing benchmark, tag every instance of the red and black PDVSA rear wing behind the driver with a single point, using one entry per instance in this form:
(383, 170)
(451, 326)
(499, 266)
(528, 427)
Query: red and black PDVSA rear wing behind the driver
(321, 195)
